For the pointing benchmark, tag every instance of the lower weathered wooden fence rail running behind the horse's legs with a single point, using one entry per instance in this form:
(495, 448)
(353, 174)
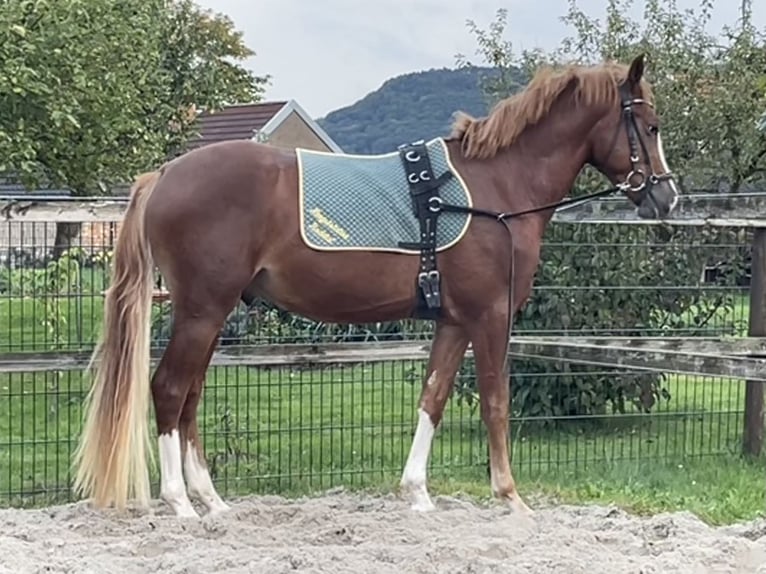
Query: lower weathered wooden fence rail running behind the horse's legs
(743, 358)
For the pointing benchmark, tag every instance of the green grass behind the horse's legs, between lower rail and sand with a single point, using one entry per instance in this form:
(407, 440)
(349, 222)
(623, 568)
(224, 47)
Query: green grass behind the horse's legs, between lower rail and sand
(293, 432)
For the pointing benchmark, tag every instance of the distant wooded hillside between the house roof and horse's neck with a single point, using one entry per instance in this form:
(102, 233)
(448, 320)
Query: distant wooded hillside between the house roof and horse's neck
(419, 105)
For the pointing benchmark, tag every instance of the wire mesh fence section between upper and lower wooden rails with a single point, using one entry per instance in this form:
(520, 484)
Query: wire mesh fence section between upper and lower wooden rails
(632, 280)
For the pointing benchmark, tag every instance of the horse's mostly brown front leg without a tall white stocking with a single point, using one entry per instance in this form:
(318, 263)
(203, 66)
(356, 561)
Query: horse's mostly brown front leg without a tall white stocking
(489, 338)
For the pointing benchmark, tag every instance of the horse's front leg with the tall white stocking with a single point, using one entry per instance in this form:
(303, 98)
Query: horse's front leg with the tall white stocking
(447, 350)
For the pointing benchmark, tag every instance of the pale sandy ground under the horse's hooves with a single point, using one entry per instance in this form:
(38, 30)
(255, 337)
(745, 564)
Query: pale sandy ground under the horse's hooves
(351, 533)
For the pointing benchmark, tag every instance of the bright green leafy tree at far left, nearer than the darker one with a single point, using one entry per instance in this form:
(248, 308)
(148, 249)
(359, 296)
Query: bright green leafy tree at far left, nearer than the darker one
(73, 82)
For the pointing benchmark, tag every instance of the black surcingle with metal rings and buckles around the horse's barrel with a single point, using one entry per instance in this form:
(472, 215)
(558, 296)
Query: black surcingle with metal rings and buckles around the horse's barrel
(426, 202)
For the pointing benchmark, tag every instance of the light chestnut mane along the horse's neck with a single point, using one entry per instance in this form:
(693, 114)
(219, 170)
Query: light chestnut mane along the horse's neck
(484, 137)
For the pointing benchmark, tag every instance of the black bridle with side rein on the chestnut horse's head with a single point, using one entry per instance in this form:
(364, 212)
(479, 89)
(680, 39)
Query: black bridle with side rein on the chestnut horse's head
(645, 186)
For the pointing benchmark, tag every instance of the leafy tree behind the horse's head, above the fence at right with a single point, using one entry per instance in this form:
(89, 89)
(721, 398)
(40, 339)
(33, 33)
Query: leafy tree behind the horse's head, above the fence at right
(709, 92)
